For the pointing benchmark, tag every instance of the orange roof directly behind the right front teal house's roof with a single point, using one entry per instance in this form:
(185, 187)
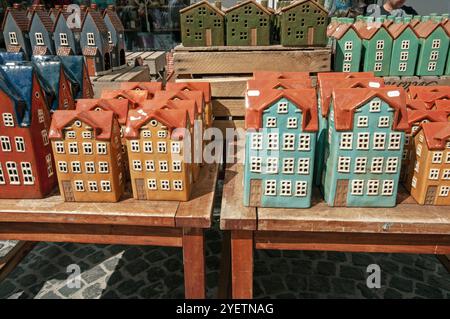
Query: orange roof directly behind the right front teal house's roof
(327, 87)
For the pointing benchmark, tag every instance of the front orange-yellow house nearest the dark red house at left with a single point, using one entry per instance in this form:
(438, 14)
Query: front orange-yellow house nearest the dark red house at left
(88, 155)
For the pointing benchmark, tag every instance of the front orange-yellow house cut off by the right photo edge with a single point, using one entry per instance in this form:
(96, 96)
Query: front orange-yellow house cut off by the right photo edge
(430, 184)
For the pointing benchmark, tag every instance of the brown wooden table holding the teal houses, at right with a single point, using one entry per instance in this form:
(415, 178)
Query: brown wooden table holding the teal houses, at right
(408, 228)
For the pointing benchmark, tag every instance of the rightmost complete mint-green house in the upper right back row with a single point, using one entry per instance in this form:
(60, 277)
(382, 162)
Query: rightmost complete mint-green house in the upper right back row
(434, 45)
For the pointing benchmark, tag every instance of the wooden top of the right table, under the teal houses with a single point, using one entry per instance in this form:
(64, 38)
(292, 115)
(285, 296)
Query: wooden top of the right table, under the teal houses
(407, 218)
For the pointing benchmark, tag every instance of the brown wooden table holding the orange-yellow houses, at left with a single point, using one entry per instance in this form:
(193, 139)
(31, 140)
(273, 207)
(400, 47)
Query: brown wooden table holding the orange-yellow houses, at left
(130, 222)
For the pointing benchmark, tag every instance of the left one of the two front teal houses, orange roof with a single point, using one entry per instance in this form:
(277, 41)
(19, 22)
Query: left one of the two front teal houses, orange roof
(280, 144)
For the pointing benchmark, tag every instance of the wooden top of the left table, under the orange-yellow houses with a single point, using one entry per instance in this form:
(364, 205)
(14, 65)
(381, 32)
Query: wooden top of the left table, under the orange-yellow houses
(194, 213)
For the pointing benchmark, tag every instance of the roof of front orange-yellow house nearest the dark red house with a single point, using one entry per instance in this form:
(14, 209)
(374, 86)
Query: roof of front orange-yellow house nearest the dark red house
(101, 122)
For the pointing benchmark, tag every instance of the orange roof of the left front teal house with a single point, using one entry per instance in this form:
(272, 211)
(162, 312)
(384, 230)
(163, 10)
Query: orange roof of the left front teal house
(304, 99)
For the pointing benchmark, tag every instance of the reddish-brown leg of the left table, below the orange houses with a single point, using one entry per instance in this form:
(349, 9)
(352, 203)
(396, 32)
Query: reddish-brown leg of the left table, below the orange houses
(194, 263)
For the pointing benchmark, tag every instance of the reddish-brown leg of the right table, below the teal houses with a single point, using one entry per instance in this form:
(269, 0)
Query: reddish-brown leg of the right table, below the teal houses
(242, 264)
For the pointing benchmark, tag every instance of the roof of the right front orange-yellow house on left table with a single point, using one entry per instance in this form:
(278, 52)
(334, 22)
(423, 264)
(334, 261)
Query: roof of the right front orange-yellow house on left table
(173, 119)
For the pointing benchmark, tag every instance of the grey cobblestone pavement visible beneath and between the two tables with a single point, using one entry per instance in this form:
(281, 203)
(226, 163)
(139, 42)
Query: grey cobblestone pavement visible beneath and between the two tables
(114, 271)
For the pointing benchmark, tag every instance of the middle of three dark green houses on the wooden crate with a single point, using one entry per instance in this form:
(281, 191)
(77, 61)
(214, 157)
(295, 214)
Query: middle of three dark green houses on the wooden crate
(248, 24)
